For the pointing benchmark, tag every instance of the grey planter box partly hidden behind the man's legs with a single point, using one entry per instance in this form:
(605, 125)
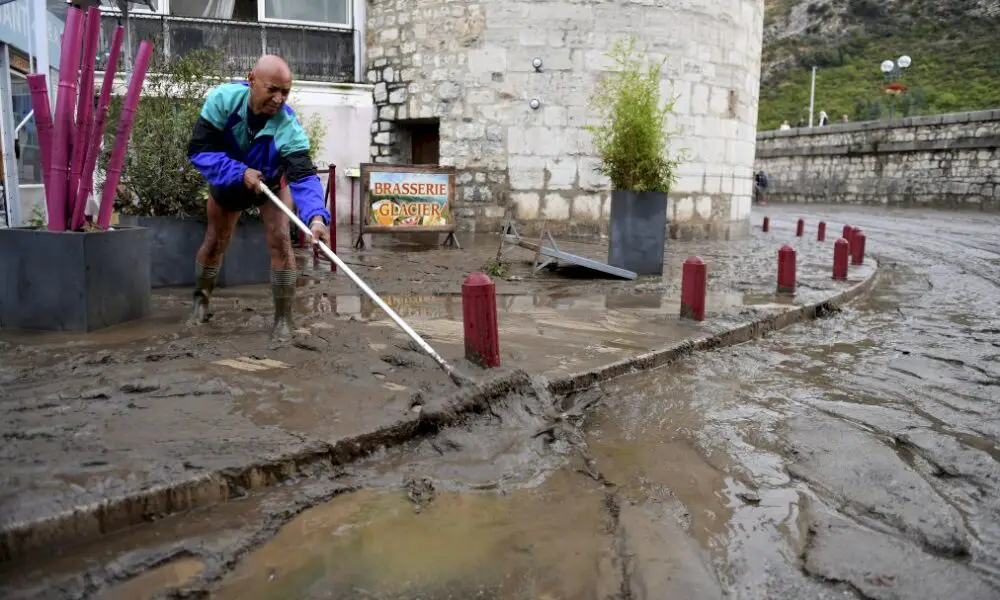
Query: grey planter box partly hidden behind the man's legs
(175, 244)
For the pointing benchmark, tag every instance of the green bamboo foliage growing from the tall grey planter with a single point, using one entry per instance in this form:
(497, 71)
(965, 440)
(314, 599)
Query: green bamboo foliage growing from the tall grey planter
(632, 140)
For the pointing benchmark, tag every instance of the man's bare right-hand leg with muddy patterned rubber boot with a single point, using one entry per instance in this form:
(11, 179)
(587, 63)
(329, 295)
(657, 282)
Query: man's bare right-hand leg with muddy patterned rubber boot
(283, 271)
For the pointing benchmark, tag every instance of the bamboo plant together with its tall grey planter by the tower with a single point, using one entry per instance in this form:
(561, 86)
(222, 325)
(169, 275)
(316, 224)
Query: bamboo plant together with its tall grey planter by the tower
(632, 141)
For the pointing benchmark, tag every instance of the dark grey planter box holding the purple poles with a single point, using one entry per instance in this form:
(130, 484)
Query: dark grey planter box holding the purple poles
(73, 281)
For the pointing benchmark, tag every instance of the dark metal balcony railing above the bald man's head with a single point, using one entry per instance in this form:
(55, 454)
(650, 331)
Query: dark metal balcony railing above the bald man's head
(314, 53)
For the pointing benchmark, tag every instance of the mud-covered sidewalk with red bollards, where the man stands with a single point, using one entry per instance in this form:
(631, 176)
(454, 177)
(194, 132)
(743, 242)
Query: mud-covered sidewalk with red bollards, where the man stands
(119, 427)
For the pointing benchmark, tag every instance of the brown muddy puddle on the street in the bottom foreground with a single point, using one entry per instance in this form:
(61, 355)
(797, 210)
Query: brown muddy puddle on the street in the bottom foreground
(545, 542)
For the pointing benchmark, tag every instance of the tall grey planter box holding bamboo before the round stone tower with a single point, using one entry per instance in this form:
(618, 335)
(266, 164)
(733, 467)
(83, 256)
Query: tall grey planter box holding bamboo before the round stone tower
(637, 231)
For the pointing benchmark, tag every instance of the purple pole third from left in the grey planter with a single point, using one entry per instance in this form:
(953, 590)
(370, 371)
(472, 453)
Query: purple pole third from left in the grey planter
(84, 115)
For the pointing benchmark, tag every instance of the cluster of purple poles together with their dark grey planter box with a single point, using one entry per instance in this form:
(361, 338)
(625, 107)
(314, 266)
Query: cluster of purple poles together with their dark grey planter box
(75, 274)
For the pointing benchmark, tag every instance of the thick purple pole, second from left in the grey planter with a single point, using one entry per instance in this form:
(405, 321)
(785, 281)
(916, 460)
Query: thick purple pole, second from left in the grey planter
(65, 100)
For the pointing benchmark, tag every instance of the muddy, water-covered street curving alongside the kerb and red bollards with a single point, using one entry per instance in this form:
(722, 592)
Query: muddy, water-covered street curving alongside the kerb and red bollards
(856, 456)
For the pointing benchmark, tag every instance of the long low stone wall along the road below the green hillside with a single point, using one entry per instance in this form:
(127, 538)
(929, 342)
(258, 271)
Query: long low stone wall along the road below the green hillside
(943, 161)
